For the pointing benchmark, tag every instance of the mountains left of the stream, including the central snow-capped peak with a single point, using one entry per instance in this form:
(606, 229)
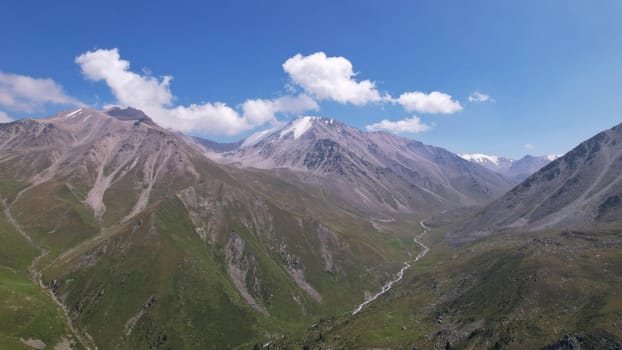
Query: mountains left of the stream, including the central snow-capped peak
(134, 220)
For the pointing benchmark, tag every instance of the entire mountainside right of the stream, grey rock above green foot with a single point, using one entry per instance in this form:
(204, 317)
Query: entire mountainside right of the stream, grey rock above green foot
(538, 268)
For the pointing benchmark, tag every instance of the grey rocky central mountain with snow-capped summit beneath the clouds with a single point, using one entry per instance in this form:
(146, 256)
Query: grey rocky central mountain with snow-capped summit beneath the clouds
(371, 171)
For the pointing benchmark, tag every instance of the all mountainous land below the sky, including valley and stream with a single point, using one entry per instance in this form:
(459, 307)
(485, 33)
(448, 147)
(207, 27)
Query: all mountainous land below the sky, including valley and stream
(120, 234)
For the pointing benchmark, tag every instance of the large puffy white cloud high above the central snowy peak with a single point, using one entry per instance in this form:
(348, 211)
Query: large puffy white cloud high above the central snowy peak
(330, 78)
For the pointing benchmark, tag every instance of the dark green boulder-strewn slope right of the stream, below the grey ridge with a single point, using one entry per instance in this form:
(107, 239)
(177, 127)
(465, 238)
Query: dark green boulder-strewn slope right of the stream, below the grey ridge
(510, 292)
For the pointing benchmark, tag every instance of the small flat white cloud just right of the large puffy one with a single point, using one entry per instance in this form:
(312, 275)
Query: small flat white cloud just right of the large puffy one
(435, 102)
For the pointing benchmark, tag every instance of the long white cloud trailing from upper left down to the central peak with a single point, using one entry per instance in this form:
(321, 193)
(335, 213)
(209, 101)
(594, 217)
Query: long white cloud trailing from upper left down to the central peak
(153, 95)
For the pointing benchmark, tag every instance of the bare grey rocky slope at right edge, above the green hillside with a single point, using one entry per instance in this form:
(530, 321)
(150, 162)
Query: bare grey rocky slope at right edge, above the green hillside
(582, 189)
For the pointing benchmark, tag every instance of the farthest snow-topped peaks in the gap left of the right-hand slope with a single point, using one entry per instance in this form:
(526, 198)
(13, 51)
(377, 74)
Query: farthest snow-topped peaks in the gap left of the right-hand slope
(517, 170)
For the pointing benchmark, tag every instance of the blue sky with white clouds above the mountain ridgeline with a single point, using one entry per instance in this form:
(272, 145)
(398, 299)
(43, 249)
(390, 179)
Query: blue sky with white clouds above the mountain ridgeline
(553, 68)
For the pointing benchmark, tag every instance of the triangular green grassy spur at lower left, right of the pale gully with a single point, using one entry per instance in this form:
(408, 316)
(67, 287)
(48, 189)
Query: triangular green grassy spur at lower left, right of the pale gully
(154, 273)
